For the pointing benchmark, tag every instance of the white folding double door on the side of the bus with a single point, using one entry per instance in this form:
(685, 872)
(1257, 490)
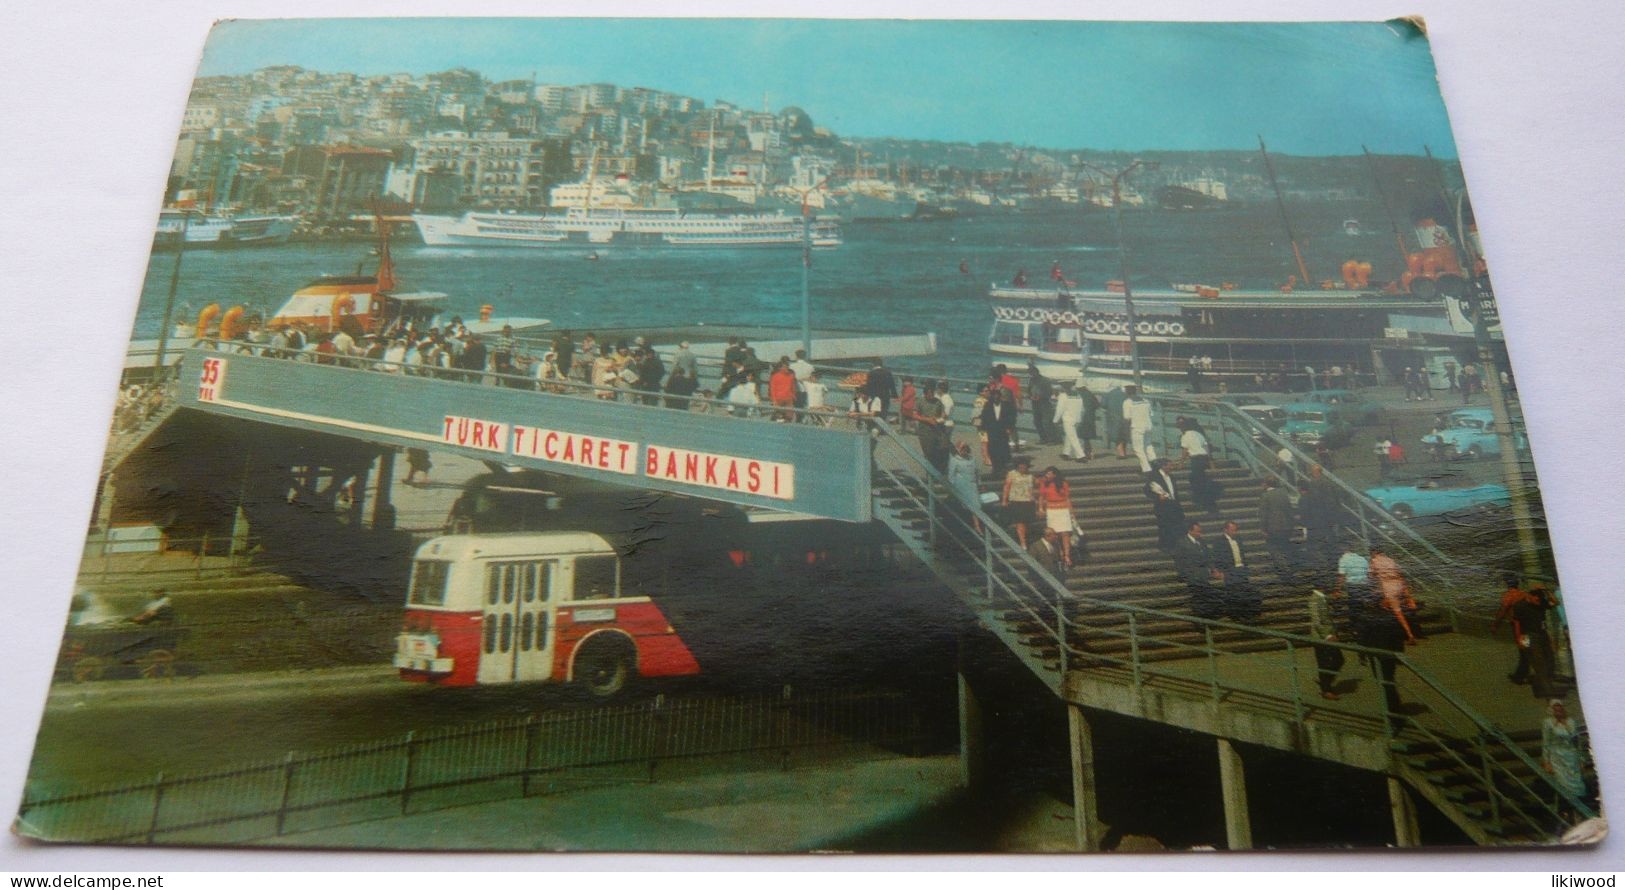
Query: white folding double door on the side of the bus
(521, 611)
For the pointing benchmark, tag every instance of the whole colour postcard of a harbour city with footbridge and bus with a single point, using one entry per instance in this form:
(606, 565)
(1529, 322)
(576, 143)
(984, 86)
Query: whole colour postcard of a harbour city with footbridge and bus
(779, 436)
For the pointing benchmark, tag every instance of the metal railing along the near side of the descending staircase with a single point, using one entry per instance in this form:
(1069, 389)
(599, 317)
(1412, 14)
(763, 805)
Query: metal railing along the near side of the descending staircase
(1029, 608)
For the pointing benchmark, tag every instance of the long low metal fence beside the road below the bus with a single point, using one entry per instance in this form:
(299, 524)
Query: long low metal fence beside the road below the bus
(423, 772)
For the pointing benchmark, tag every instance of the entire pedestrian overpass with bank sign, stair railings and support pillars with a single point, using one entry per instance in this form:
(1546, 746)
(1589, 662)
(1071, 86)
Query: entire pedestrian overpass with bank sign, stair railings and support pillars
(1242, 686)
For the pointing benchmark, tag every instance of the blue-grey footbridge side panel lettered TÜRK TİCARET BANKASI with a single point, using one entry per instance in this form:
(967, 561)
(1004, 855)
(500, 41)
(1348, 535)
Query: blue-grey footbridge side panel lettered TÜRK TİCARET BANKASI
(578, 430)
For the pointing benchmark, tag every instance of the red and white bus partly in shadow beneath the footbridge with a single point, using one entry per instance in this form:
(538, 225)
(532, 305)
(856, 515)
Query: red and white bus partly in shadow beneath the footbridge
(553, 581)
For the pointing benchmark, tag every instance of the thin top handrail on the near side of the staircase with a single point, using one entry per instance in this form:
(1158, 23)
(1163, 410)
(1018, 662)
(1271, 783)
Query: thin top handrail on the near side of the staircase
(1060, 594)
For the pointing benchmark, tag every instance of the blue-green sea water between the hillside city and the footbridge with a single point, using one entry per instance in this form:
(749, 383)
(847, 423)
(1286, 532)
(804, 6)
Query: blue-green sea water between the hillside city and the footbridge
(888, 277)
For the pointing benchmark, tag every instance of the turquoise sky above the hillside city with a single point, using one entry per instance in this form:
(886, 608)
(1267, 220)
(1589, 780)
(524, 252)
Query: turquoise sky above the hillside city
(1317, 89)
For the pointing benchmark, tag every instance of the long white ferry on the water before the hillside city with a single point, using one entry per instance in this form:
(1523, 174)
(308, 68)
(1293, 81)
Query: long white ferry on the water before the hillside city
(622, 227)
